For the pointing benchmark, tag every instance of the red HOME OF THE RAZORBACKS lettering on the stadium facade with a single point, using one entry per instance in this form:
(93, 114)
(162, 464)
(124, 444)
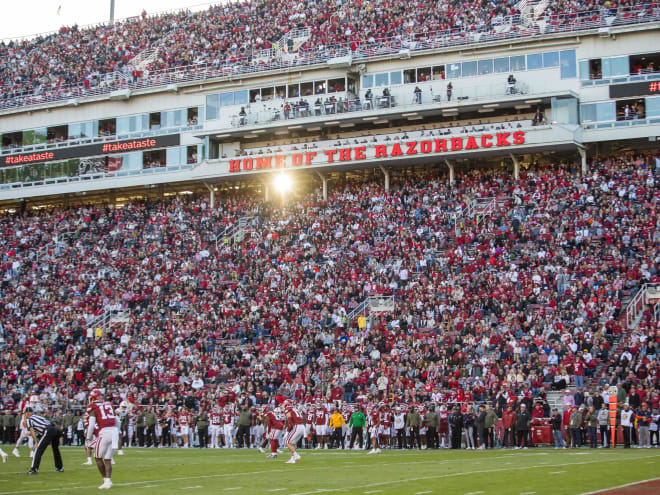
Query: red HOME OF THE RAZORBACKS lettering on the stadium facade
(358, 153)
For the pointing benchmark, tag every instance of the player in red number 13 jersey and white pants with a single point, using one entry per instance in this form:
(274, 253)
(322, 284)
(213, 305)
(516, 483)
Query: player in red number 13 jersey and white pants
(102, 415)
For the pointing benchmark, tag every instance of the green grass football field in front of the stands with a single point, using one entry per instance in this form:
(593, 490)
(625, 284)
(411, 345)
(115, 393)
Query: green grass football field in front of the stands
(164, 471)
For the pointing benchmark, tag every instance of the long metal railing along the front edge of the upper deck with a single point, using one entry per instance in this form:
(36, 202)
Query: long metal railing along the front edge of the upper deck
(361, 50)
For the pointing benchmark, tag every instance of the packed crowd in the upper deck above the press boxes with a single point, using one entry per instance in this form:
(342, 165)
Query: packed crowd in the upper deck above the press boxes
(233, 34)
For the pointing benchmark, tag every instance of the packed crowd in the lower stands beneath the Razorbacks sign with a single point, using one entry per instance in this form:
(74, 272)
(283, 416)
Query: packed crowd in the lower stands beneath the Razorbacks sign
(211, 321)
